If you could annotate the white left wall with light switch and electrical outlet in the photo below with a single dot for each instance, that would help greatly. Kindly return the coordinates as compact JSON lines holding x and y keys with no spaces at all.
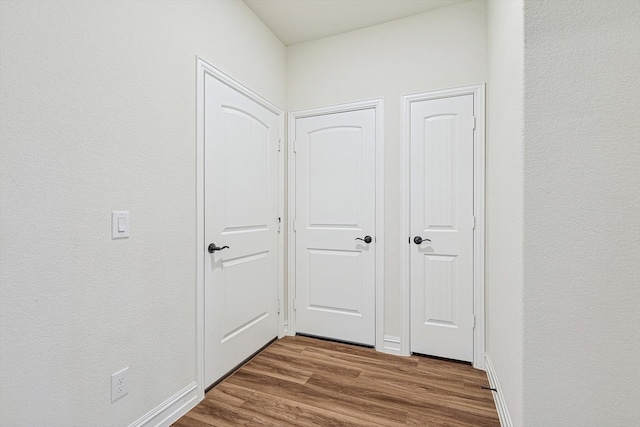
{"x":97,"y":113}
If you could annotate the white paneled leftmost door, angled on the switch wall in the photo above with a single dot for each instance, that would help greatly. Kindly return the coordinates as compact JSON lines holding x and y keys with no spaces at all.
{"x":241,"y":227}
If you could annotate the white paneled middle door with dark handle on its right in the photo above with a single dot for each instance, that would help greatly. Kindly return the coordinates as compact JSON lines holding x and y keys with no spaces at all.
{"x":335,"y":190}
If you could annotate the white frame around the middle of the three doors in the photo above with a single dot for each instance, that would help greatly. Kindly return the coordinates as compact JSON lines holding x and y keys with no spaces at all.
{"x":378,"y":105}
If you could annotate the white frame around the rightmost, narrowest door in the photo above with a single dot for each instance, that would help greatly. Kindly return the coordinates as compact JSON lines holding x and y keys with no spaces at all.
{"x":478,"y":211}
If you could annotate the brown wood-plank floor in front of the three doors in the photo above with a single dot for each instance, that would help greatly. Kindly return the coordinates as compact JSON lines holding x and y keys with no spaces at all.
{"x":299,"y":381}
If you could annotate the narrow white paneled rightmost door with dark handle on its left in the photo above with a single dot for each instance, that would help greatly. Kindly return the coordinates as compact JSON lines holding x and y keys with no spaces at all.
{"x":442,"y":222}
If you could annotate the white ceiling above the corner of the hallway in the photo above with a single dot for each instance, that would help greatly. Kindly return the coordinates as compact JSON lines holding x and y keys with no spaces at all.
{"x":297,"y":21}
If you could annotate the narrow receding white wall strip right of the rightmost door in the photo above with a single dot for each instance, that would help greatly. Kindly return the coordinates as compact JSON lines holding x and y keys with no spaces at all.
{"x":504,"y":166}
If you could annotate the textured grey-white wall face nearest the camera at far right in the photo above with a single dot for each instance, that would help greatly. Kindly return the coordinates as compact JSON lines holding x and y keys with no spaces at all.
{"x":582,"y":213}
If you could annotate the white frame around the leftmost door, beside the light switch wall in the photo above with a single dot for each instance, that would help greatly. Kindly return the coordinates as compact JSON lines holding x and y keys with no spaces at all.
{"x":203,"y":69}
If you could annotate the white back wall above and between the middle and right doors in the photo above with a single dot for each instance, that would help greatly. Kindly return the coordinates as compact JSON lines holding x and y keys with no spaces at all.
{"x":434,"y":50}
